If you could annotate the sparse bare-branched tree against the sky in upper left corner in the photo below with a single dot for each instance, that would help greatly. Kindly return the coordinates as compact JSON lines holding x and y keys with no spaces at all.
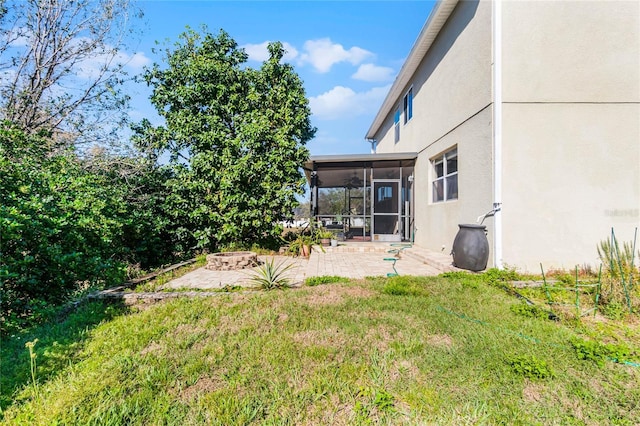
{"x":50,"y":46}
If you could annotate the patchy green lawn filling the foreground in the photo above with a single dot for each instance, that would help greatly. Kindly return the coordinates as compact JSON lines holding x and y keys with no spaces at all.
{"x":379,"y":351}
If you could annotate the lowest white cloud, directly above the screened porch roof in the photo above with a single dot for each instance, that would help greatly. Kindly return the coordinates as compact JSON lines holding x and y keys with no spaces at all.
{"x":343,"y":102}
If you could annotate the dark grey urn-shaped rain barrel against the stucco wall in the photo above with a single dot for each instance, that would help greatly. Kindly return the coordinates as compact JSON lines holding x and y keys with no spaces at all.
{"x":471,"y":248}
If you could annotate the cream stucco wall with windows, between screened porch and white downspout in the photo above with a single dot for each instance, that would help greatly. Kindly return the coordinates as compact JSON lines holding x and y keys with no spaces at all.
{"x":451,"y":107}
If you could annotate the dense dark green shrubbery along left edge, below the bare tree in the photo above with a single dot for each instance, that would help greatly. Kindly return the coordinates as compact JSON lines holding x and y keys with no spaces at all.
{"x":68,"y":226}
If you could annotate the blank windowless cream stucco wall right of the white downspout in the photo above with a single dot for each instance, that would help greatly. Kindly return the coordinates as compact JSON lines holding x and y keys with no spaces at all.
{"x":571,"y":133}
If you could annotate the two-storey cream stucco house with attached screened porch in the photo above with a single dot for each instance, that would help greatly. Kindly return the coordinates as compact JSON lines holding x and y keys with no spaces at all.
{"x":527,"y":108}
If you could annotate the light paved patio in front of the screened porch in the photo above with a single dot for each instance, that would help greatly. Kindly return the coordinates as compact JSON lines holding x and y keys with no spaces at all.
{"x":351,"y":260}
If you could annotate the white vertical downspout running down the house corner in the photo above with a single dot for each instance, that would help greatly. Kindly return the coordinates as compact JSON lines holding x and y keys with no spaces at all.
{"x":497,"y":133}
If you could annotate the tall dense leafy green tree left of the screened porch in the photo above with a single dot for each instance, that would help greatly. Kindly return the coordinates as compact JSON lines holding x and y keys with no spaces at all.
{"x":236,"y":136}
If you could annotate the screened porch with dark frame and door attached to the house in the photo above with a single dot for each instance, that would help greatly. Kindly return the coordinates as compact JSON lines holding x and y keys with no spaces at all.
{"x":363,"y":197}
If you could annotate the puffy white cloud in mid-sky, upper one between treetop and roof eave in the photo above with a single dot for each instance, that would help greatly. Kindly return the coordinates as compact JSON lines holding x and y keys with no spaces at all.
{"x":323,"y":54}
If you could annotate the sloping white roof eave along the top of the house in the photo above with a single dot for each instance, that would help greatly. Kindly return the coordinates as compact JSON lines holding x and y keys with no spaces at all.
{"x":439,"y":15}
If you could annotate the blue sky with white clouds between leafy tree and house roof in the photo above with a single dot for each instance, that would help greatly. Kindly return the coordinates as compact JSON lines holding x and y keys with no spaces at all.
{"x":347,"y":53}
